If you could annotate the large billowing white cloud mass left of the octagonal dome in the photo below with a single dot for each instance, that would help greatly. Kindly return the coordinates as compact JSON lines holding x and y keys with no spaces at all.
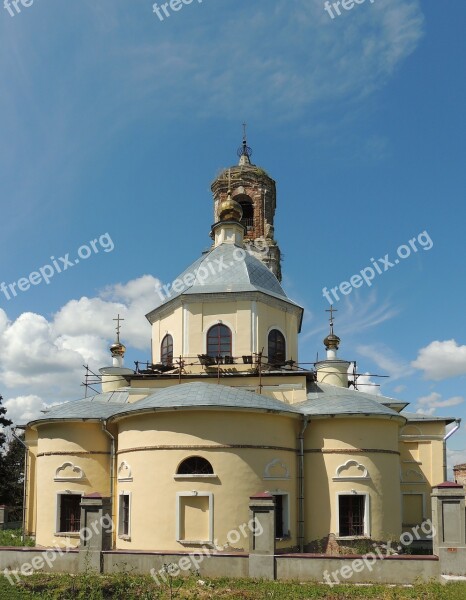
{"x":41,"y":360}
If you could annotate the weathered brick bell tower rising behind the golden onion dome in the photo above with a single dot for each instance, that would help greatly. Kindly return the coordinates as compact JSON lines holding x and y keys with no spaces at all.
{"x":255,"y":191}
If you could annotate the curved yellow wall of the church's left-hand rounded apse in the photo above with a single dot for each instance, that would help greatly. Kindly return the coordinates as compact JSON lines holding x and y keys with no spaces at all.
{"x":86,"y":448}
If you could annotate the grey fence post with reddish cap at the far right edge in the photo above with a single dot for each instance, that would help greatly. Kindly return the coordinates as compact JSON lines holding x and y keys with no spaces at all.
{"x":449,"y":527}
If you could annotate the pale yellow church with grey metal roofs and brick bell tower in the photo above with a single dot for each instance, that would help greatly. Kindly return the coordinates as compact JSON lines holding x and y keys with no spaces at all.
{"x":224,"y":410}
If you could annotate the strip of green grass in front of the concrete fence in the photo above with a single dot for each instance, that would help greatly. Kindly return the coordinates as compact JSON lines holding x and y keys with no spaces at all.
{"x":128,"y":587}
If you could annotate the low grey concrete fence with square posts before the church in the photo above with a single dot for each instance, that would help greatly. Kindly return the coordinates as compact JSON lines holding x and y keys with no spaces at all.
{"x":262,"y":561}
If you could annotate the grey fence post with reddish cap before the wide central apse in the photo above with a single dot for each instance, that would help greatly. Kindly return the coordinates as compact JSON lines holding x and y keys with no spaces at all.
{"x":262,"y":536}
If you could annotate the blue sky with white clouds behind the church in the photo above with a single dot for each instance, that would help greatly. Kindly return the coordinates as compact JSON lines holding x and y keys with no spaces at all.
{"x":113,"y":121}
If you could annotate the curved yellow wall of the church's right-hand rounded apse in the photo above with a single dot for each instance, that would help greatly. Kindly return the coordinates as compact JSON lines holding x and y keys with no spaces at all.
{"x":372,"y":471}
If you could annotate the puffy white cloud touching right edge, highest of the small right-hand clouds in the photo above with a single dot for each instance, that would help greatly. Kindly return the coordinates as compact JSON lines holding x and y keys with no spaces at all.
{"x":441,"y":360}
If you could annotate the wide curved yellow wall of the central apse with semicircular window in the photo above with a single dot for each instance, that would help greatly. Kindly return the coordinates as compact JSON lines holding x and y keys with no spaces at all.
{"x":157,"y":443}
